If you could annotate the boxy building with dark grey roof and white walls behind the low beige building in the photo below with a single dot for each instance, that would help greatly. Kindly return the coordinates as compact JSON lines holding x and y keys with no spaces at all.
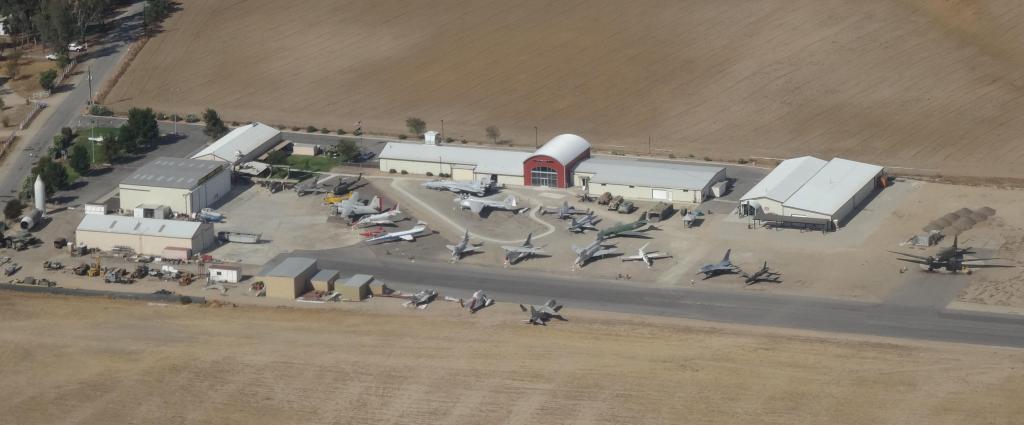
{"x":185,"y":186}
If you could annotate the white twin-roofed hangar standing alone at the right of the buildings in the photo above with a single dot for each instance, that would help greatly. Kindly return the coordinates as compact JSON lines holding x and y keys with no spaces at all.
{"x":810,"y":191}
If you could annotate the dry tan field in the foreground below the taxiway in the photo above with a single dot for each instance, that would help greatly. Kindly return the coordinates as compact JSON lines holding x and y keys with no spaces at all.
{"x":99,"y":362}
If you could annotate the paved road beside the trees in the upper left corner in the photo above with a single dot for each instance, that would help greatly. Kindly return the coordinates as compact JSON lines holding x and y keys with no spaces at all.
{"x":102,"y":60}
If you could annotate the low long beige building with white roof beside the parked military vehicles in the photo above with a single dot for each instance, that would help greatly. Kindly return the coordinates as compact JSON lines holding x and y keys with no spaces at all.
{"x":145,"y":236}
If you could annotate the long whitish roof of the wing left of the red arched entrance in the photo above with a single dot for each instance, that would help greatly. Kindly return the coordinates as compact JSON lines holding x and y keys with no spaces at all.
{"x":484,"y":160}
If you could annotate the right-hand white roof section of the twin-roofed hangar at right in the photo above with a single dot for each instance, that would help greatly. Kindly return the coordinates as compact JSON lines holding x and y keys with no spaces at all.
{"x":836,"y":184}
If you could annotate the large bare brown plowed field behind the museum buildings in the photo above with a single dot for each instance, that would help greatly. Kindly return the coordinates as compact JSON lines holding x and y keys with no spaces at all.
{"x":919,"y":83}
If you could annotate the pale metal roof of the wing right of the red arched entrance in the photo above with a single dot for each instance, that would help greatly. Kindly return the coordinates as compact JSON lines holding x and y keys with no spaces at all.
{"x":650,"y":174}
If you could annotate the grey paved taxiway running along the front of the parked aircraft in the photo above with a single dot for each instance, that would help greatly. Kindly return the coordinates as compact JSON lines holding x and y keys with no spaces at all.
{"x":706,"y":305}
